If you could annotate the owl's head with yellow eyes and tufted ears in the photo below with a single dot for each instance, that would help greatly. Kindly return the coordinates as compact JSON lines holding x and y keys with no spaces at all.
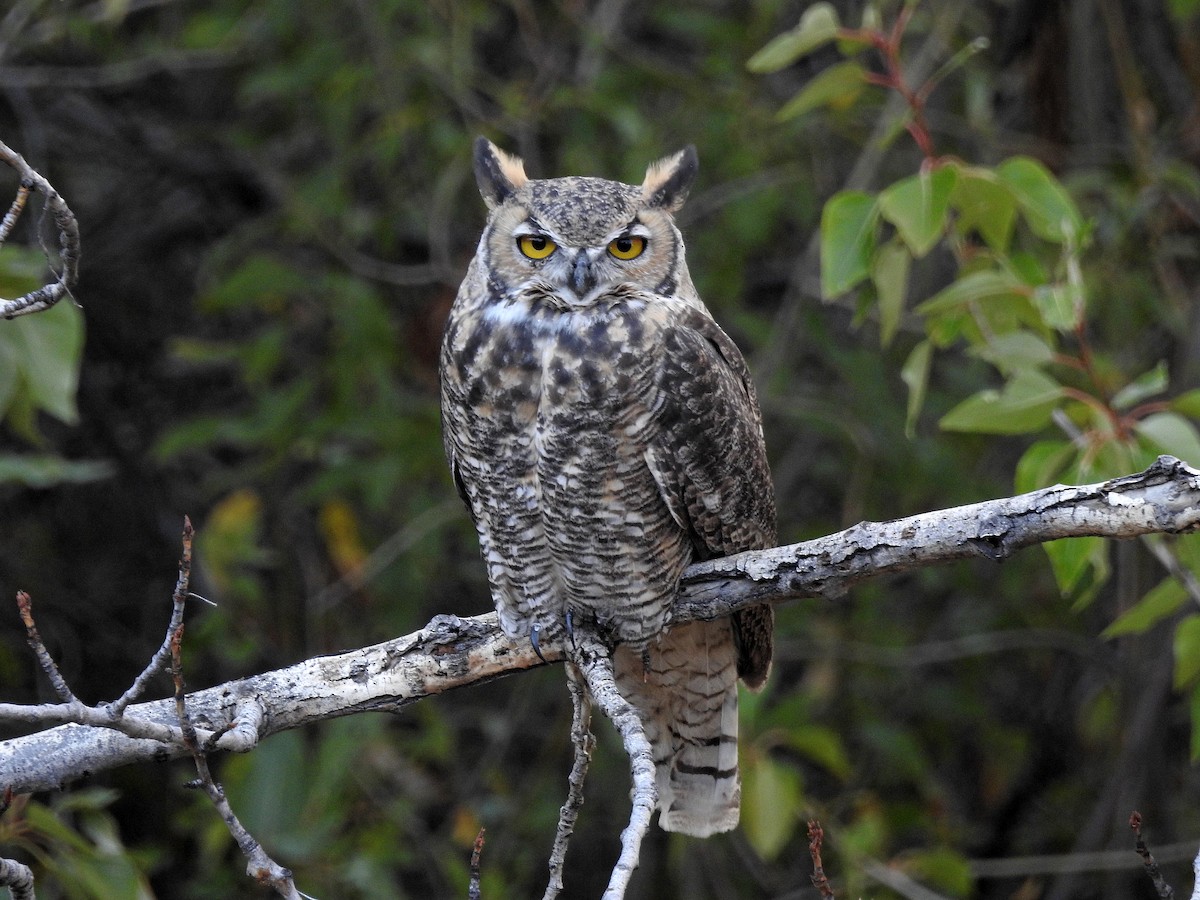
{"x":575,"y":239}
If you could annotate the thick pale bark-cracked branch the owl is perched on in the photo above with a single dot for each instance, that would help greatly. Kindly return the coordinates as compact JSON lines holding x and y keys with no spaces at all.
{"x":454,"y":652}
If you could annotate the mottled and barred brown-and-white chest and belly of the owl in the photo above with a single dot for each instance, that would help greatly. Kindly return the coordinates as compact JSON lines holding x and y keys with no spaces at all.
{"x":555,"y":409}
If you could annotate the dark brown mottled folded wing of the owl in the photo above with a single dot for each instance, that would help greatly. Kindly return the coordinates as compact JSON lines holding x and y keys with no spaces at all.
{"x":710,"y":463}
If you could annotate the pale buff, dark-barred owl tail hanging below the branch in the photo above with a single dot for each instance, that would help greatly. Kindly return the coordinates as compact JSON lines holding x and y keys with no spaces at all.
{"x":688,"y":697}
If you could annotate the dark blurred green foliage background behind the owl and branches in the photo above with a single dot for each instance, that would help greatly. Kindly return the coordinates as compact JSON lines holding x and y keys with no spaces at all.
{"x":278,"y":205}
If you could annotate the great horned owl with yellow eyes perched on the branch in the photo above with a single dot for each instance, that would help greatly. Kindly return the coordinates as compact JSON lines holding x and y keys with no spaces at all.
{"x":604,"y":433}
